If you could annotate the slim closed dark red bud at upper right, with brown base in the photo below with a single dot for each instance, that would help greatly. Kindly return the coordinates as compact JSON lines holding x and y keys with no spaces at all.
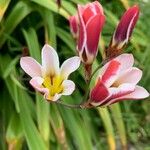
{"x":123,"y":32}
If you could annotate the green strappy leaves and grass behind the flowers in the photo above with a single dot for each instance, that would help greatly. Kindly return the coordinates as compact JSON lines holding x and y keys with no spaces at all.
{"x":27,"y":121}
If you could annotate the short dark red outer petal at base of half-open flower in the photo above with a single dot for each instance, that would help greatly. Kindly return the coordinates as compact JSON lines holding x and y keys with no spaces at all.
{"x":98,"y":93}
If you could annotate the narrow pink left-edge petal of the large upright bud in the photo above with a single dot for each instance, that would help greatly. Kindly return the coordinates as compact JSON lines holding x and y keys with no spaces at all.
{"x":82,"y":30}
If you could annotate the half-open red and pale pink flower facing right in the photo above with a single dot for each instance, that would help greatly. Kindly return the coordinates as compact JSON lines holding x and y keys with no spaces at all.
{"x":117,"y":81}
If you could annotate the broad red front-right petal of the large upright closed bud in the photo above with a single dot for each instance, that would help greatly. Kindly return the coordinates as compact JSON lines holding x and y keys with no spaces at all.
{"x":93,"y":29}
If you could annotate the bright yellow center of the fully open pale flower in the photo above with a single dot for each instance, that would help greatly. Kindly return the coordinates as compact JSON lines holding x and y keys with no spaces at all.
{"x":54,"y":84}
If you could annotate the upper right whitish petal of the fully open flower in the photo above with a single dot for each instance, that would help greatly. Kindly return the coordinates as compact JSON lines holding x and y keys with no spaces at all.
{"x":69,"y":66}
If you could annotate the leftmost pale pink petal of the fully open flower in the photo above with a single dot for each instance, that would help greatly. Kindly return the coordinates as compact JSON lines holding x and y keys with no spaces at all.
{"x":30,"y":66}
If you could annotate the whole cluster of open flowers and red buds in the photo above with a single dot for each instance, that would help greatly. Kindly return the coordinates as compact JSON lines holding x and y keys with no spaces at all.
{"x":117,"y":79}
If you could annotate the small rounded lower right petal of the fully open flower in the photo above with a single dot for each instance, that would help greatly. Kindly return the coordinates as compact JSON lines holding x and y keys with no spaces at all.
{"x":69,"y":87}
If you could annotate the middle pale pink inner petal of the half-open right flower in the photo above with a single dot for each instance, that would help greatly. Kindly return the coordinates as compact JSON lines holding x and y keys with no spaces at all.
{"x":132,"y":75}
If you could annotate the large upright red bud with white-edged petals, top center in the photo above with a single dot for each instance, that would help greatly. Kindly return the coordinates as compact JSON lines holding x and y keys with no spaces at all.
{"x":91,"y":21}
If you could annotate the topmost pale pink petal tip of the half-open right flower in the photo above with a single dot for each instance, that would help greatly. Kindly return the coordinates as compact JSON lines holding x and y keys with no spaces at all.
{"x":126,"y":61}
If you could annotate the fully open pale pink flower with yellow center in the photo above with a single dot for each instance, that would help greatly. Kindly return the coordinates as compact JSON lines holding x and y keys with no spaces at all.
{"x":48,"y":78}
